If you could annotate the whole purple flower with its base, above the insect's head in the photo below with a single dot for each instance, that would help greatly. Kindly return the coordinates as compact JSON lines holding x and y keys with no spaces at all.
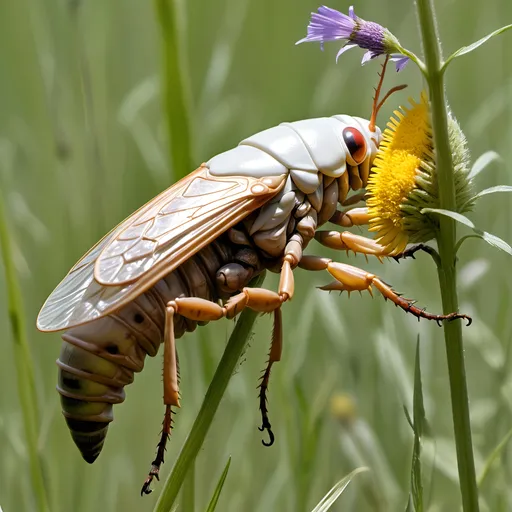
{"x":331,"y":25}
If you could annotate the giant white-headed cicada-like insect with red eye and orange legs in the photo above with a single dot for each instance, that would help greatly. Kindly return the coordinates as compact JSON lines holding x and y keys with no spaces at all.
{"x":187,"y":257}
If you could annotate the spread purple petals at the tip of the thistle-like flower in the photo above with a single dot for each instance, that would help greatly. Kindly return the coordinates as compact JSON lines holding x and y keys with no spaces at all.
{"x":328,"y":25}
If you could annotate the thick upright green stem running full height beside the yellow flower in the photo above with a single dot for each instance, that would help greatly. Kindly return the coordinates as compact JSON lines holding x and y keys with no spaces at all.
{"x":446,"y":269}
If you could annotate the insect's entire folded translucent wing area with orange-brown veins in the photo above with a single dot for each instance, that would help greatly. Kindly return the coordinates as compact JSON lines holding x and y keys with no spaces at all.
{"x":151,"y":243}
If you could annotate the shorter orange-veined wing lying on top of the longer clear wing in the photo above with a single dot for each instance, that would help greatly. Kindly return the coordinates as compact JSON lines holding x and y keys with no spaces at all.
{"x":176,"y":227}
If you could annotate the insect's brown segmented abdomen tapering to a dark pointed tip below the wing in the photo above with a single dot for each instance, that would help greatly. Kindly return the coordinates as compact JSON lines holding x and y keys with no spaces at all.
{"x":98,"y":359}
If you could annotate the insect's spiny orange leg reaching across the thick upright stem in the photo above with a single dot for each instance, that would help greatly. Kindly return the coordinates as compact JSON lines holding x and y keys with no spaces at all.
{"x":349,"y":278}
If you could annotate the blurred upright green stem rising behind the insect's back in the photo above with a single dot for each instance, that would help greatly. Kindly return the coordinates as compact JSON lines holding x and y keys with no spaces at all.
{"x":174,"y":90}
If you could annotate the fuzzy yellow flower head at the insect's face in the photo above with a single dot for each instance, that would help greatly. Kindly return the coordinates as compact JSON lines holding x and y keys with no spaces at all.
{"x":404,"y":180}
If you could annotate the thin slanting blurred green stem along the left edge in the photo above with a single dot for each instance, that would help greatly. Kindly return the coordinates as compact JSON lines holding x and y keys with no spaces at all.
{"x":24,"y":366}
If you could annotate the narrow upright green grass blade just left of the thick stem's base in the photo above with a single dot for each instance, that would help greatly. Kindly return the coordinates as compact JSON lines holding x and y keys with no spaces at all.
{"x":418,"y":425}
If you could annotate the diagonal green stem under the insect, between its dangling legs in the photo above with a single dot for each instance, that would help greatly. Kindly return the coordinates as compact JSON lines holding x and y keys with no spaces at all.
{"x":204,"y":418}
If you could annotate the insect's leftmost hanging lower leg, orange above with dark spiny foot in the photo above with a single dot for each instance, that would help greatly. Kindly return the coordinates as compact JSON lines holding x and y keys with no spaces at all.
{"x":171,"y":395}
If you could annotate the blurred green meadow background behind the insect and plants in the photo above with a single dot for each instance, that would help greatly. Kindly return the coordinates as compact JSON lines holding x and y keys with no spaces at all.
{"x":82,"y":145}
